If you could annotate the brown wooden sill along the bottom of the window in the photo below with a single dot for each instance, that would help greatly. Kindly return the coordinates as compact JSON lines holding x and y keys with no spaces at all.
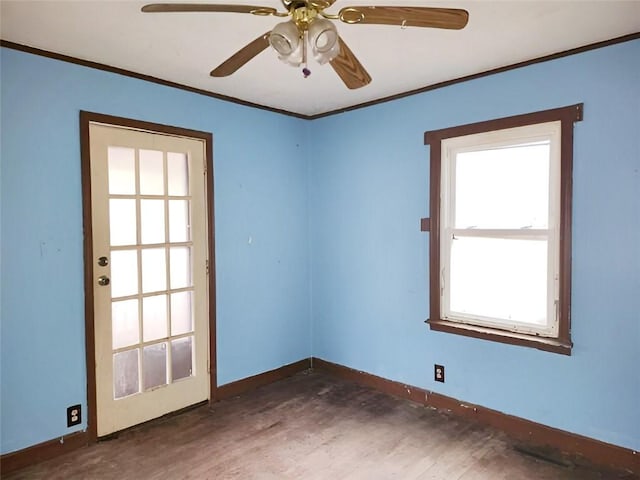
{"x":548,"y":344}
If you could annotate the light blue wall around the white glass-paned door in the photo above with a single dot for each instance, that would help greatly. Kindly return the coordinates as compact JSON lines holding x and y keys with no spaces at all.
{"x":260,"y":192}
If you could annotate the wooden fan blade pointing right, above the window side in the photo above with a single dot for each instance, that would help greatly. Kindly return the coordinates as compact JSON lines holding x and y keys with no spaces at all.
{"x":451,"y":18}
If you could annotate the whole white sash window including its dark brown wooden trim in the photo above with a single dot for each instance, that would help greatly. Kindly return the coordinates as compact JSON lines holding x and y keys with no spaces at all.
{"x":500,"y":246}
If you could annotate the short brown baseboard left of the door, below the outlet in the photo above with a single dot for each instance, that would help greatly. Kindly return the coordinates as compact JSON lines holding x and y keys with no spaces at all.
{"x":43,"y":451}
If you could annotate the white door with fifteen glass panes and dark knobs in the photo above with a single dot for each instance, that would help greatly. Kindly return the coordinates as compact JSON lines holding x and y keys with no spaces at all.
{"x":149,"y":222}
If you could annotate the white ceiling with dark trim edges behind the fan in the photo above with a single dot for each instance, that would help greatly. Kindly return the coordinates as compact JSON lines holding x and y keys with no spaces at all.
{"x":184,"y":47}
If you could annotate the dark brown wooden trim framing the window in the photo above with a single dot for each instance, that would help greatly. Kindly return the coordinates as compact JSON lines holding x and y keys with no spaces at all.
{"x":567,"y":116}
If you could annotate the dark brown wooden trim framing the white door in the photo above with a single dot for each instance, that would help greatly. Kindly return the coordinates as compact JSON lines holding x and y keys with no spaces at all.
{"x":85,"y":119}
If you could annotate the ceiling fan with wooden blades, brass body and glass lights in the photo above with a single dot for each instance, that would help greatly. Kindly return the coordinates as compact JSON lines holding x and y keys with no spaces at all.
{"x":310,"y":27}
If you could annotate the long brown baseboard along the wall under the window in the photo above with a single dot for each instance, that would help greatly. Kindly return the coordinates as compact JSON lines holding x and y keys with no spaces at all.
{"x":581,"y":449}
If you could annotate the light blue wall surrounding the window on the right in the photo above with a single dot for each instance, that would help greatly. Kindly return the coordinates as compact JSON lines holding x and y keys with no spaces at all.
{"x":369,"y":188}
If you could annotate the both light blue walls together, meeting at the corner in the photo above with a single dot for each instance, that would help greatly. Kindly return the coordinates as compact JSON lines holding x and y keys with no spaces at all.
{"x":336,"y":267}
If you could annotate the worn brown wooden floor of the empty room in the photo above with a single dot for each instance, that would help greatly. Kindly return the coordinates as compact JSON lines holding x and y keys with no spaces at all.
{"x":310,"y":426}
